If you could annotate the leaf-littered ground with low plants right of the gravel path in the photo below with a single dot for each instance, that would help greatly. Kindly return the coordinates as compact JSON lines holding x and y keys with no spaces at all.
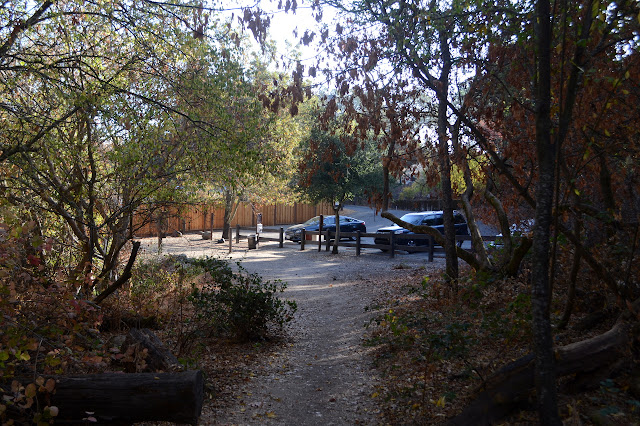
{"x":435,"y":351}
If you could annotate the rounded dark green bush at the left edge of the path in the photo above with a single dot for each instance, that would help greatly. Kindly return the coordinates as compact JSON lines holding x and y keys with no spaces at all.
{"x":239,"y":304}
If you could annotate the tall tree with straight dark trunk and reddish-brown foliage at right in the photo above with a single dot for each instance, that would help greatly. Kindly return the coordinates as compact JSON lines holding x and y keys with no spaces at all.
{"x":583,"y":56}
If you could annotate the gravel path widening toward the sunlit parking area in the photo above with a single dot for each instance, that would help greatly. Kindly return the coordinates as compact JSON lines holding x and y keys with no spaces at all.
{"x":323,"y":376}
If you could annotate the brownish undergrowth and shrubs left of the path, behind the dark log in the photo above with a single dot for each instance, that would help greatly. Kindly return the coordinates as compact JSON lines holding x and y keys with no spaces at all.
{"x":193,"y":305}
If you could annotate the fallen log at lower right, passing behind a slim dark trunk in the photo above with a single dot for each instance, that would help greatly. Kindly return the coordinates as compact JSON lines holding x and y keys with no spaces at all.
{"x":512,"y":385}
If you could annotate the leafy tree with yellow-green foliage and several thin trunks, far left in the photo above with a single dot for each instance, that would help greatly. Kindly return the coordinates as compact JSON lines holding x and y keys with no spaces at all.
{"x":141,"y":107}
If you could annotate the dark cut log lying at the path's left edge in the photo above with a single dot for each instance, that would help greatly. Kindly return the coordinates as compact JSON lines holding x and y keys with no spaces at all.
{"x":128,"y":398}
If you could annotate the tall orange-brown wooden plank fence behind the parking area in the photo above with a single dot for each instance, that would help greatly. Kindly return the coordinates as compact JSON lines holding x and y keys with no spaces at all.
{"x":204,"y":217}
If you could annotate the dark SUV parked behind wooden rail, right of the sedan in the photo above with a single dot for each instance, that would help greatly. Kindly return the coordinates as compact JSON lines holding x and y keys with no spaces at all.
{"x":430,"y":218}
